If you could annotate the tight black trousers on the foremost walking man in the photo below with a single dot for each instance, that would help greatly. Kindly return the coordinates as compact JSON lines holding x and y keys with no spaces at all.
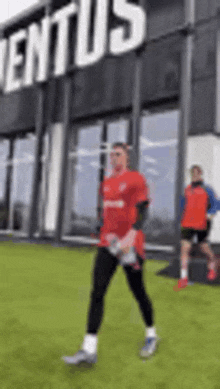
{"x":104,"y":269}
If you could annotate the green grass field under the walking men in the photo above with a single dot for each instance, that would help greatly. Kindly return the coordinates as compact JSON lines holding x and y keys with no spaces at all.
{"x":44,"y":299}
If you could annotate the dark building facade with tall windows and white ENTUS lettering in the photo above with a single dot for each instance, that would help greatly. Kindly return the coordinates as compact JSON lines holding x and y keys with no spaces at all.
{"x":56,"y":124}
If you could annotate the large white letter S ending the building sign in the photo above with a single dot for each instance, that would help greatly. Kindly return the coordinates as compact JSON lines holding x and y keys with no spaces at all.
{"x":137,"y":19}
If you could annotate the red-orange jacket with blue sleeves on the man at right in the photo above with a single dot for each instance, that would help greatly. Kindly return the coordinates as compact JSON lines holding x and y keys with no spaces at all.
{"x":198,"y":201}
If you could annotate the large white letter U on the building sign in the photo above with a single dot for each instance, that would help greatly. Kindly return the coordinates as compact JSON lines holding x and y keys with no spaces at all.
{"x":83,"y":57}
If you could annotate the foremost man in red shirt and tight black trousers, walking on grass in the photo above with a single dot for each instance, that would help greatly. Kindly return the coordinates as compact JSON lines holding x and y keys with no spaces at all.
{"x":125,"y":200}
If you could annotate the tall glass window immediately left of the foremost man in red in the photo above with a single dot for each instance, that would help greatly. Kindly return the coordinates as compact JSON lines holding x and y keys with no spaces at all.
{"x":82,"y":181}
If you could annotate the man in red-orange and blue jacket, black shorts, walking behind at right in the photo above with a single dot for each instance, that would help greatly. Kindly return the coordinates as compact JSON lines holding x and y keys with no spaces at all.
{"x":199,"y":205}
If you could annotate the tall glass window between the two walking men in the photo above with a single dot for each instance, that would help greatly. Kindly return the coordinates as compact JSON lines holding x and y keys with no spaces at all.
{"x":158,"y":162}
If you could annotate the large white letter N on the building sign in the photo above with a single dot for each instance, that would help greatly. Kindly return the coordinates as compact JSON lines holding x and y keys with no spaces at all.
{"x":37,"y":47}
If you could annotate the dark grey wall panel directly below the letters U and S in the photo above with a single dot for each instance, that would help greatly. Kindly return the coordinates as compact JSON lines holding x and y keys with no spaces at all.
{"x":104,"y":87}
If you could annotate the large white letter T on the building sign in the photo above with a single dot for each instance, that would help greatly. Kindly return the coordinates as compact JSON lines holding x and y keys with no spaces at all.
{"x":62,"y":18}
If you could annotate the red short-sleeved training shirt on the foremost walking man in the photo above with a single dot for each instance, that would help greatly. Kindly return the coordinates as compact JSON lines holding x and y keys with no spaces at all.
{"x":120,"y":195}
